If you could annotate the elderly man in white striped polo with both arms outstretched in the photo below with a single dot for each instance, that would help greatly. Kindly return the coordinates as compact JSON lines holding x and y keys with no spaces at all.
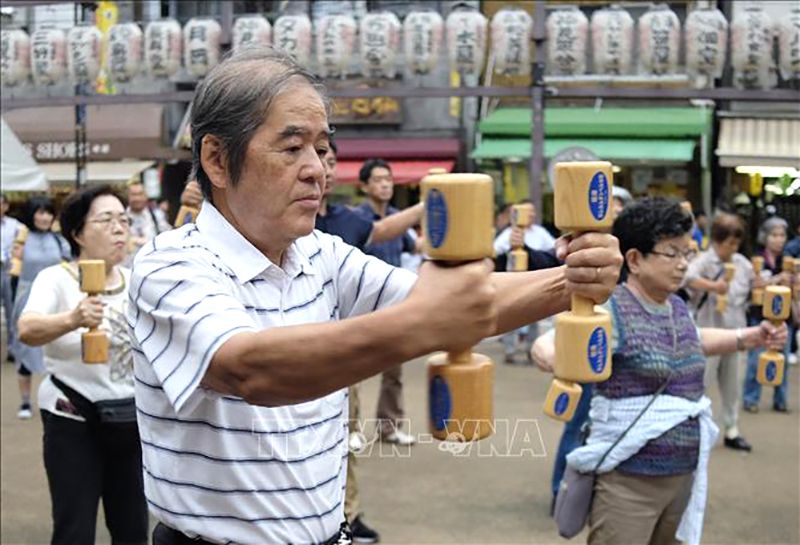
{"x":248,"y":325}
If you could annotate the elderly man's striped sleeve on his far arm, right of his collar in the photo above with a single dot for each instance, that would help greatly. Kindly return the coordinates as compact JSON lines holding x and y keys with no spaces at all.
{"x":365,"y":283}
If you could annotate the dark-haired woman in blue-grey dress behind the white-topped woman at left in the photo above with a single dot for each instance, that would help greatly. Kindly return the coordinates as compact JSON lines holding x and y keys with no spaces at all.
{"x":43,"y":248}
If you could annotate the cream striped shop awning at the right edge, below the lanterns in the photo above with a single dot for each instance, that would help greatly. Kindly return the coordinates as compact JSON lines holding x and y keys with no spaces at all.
{"x":759,"y":142}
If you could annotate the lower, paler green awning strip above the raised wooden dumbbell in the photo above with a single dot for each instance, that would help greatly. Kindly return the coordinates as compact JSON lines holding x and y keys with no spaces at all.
{"x":615,"y":150}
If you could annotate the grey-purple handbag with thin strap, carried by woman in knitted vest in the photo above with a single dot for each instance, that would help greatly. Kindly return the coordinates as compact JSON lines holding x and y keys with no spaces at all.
{"x":576,"y":490}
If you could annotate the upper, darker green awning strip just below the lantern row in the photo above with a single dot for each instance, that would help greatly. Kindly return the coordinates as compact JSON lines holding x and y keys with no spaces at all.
{"x":603,"y":122}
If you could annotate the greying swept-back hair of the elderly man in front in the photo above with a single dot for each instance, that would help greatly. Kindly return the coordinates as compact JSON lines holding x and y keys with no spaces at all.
{"x":234,"y":99}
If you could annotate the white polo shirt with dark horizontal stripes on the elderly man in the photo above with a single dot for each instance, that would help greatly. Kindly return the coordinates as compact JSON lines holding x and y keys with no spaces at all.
{"x":215,"y":466}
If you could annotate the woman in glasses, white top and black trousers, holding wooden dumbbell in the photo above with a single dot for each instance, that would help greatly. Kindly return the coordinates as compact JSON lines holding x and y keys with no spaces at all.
{"x":91,"y":441}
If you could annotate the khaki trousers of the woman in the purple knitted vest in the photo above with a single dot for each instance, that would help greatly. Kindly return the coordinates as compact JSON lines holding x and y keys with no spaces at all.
{"x":637,"y":510}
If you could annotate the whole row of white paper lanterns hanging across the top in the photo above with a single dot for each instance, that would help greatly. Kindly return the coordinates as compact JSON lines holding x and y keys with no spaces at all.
{"x":50,"y":55}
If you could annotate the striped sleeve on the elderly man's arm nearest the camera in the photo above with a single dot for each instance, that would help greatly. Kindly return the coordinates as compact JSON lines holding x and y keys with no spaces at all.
{"x":182,"y":309}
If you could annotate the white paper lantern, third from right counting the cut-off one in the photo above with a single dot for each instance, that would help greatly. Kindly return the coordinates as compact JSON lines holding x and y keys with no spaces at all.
{"x":706,"y":38}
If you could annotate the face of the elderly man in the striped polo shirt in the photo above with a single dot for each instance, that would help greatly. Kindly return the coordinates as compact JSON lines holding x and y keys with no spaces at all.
{"x":283,"y":176}
